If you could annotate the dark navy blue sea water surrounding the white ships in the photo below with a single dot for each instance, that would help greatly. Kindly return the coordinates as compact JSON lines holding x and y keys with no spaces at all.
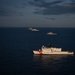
{"x":17,"y":58}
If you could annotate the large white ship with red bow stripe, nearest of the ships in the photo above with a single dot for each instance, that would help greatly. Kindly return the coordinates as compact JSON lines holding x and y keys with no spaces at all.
{"x":51,"y":50}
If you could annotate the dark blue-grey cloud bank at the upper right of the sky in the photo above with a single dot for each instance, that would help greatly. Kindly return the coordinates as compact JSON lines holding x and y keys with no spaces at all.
{"x":56,"y":7}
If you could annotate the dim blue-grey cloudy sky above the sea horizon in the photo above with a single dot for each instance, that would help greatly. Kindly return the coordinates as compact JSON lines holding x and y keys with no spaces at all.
{"x":37,"y":13}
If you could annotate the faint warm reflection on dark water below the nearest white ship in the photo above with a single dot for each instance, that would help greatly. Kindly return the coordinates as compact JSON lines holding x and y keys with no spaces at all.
{"x":51,"y":63}
